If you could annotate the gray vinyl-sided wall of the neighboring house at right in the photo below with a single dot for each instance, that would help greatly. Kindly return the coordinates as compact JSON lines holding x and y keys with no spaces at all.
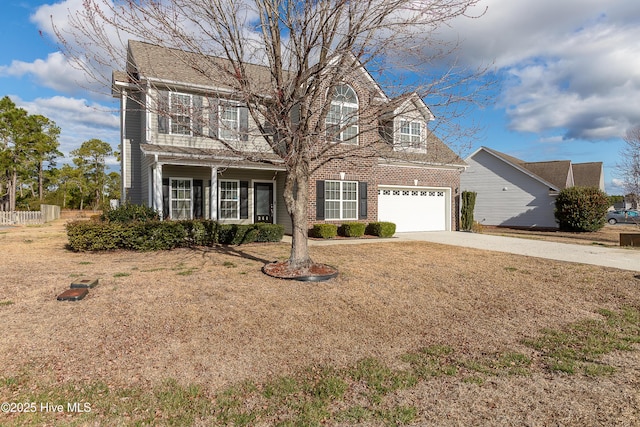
{"x":507,"y":196}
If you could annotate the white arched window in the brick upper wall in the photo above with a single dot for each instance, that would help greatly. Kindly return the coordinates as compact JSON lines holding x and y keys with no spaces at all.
{"x":342,"y":119}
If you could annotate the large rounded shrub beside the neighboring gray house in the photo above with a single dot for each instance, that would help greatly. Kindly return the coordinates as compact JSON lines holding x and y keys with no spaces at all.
{"x":581,"y":209}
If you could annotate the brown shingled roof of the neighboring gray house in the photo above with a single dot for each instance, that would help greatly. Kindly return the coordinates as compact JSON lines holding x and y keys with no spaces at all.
{"x":559,"y":174}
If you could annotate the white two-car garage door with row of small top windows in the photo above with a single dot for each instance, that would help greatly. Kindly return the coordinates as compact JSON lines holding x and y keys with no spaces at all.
{"x":414,"y":209}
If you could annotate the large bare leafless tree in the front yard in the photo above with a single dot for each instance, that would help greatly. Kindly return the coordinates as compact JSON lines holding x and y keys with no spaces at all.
{"x":309,"y":47}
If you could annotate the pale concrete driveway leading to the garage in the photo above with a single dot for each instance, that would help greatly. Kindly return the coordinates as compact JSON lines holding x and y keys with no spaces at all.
{"x":625,"y":259}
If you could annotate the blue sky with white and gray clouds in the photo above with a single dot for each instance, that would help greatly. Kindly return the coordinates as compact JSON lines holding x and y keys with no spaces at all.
{"x":568,"y":74}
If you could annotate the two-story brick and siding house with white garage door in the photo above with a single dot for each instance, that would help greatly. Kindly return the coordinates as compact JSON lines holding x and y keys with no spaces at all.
{"x":173,"y":118}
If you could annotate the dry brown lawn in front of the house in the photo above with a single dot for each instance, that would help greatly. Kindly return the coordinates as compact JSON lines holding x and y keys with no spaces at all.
{"x":210,"y":317}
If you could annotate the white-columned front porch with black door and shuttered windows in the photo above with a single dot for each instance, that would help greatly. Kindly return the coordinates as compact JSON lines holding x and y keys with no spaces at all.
{"x":228,"y":191}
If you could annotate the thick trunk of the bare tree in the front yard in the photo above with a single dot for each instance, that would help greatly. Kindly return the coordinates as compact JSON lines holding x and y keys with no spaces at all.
{"x":296,"y":197}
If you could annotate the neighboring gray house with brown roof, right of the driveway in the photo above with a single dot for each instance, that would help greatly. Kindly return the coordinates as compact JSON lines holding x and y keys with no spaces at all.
{"x":512,"y":192}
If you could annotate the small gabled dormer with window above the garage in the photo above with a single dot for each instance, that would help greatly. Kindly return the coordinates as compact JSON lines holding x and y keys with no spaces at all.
{"x":405,"y":125}
